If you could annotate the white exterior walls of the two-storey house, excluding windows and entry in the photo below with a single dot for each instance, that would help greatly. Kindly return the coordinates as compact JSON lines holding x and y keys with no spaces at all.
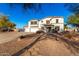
{"x":36,"y":27}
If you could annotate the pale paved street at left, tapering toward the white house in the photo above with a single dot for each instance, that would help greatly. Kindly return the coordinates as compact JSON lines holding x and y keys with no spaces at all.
{"x":8,"y":36}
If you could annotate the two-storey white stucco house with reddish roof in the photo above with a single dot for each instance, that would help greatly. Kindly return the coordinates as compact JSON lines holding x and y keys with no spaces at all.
{"x":46,"y":24}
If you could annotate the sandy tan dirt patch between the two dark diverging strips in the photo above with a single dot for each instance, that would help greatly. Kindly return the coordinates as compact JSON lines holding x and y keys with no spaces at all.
{"x":49,"y":47}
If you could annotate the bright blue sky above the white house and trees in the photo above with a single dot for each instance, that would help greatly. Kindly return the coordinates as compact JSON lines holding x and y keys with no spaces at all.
{"x":21,"y":18}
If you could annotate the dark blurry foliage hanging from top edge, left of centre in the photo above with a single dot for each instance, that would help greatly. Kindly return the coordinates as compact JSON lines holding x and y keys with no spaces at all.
{"x":25,"y":6}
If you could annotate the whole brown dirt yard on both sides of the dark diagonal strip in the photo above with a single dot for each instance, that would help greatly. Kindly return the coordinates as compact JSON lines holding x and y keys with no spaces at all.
{"x":46,"y":46}
